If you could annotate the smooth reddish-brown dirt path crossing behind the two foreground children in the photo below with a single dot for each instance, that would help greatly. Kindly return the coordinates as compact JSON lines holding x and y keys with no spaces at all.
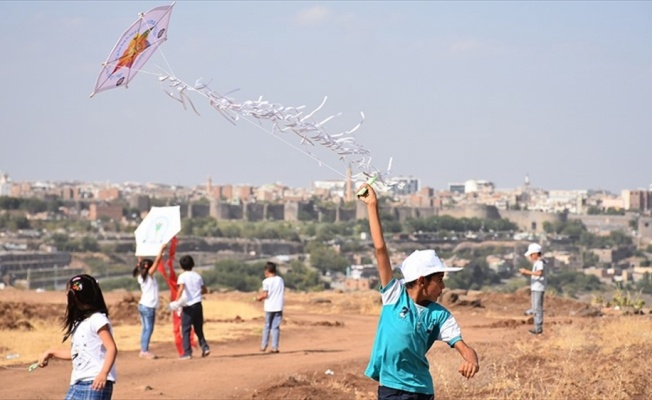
{"x":238,"y":369}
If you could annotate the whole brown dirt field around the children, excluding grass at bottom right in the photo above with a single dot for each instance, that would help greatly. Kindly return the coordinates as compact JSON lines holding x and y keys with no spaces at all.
{"x":326,"y":340}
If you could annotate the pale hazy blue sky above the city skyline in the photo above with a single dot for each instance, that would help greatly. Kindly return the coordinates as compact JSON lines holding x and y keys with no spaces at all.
{"x":452,"y":91}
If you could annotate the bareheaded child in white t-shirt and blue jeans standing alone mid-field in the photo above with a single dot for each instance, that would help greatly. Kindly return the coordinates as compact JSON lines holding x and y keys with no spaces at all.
{"x":273,"y":289}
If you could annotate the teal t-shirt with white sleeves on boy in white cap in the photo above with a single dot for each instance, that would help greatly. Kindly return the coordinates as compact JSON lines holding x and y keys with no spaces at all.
{"x":405,"y":333}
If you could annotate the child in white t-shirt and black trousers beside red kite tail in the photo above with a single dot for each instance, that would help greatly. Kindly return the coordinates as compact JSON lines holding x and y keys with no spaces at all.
{"x":191,"y":285}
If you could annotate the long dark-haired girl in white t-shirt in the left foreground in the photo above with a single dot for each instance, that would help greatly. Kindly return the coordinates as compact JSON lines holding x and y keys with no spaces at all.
{"x":93,"y":350}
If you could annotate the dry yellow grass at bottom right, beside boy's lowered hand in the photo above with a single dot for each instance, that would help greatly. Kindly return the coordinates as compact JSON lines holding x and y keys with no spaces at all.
{"x":599,"y":359}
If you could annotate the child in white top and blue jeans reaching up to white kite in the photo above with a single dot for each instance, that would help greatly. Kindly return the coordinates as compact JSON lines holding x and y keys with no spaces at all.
{"x":148,"y":300}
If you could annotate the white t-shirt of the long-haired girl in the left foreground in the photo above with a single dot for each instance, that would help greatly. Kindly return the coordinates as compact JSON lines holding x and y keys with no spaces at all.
{"x":87,"y":351}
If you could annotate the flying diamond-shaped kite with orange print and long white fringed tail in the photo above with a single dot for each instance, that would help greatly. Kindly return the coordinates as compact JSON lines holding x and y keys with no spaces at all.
{"x":139,"y":42}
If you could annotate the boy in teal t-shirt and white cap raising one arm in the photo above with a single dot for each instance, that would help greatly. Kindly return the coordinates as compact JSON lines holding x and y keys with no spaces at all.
{"x":411,"y":319}
